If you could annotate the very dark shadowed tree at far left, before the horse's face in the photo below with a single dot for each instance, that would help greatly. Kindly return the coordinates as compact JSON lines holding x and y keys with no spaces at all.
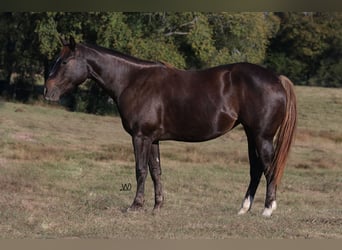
{"x":21,"y":54}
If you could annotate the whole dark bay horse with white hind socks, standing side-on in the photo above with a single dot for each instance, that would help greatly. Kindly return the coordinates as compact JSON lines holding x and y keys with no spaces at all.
{"x":158,"y":102}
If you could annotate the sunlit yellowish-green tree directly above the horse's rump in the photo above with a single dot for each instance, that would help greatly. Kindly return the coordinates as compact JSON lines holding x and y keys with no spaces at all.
{"x":242,"y":36}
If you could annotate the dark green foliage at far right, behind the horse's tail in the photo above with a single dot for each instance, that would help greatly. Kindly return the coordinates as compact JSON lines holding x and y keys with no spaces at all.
{"x":307,"y":48}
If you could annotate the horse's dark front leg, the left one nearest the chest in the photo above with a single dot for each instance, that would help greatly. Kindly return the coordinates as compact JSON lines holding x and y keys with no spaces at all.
{"x":142,"y":149}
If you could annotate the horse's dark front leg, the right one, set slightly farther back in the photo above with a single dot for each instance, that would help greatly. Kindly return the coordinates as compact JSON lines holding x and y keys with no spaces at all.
{"x":155,"y":171}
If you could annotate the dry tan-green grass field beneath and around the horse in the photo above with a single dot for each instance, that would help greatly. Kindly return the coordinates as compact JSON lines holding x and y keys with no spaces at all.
{"x":61,"y":174}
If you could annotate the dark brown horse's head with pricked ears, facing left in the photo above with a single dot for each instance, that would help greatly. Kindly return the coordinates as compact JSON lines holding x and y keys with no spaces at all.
{"x":68,"y":71}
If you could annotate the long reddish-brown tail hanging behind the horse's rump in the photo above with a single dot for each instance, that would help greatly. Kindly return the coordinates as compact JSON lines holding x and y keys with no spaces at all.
{"x":286,"y":131}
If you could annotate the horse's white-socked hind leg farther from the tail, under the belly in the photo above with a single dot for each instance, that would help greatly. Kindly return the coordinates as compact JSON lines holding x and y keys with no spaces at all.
{"x":256,"y":170}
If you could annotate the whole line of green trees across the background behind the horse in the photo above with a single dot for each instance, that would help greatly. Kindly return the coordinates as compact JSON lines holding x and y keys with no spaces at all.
{"x":305,"y":46}
